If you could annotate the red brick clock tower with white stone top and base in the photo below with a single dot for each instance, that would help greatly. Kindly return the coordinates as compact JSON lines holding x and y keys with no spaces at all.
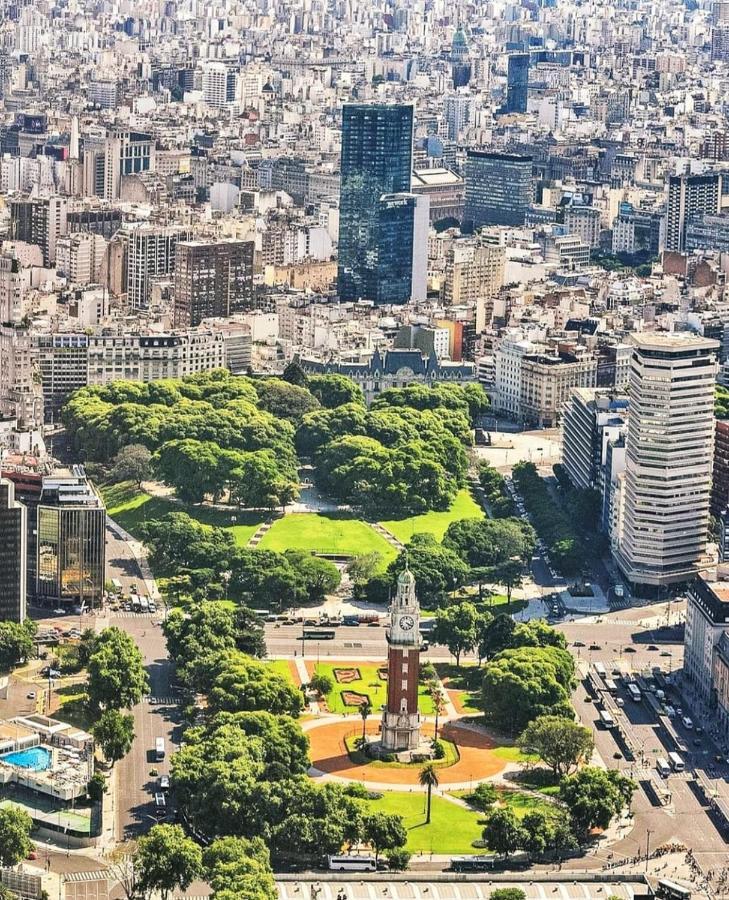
{"x":401,"y":719}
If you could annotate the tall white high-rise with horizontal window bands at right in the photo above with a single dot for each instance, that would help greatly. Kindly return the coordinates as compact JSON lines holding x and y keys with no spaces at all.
{"x":669,"y":455}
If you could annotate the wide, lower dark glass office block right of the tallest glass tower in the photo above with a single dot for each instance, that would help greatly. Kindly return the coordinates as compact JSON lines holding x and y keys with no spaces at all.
{"x":499,"y":188}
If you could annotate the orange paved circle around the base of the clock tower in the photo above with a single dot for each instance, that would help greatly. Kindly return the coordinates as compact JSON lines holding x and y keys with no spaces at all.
{"x":330,"y":757}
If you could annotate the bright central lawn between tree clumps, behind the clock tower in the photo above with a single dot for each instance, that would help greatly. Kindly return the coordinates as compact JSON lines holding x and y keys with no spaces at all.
{"x":326,"y":533}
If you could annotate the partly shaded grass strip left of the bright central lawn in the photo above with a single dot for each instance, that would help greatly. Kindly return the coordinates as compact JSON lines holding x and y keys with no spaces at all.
{"x":130,"y":507}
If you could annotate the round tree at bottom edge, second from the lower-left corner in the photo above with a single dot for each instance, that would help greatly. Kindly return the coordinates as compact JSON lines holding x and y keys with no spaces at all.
{"x":167,"y":860}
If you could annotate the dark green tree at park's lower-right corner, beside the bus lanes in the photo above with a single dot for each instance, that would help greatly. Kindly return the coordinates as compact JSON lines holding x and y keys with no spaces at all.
{"x":594,"y":796}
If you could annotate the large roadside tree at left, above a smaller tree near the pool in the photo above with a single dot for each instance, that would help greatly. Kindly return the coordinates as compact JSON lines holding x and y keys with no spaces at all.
{"x":116,"y":675}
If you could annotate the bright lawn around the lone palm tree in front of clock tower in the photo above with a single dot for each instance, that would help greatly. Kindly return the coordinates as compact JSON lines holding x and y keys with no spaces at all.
{"x":452,"y":828}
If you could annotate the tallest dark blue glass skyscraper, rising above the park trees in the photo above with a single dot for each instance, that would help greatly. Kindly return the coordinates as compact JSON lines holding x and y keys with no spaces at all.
{"x":377,"y":144}
